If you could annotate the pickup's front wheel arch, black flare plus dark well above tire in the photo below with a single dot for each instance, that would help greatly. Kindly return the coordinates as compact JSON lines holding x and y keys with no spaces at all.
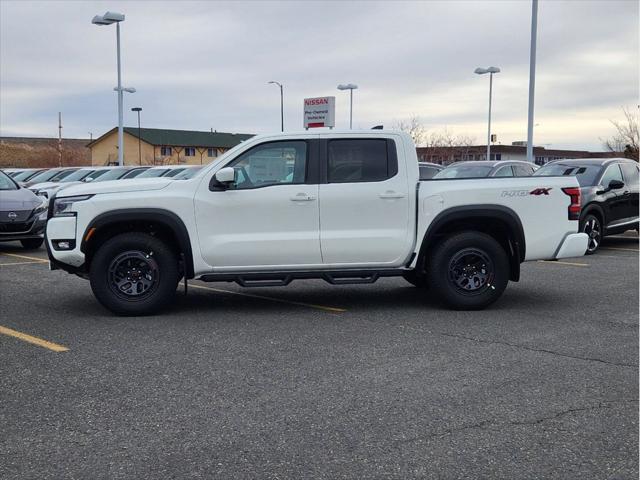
{"x":155,"y":221}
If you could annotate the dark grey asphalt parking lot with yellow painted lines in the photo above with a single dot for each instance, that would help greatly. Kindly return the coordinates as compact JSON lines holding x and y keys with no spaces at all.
{"x":319,"y":381}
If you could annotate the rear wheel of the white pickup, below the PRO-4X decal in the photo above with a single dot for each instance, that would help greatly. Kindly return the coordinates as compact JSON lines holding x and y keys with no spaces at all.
{"x":468,"y":271}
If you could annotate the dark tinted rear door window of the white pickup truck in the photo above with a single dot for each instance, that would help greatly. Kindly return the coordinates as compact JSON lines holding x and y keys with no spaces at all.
{"x":361,"y":160}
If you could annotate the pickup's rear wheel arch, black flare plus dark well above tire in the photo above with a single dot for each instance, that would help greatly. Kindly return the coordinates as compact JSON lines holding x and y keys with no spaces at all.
{"x":498,"y":221}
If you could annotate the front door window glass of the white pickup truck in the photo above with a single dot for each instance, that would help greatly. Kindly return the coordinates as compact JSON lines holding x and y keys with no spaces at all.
{"x":274,"y":163}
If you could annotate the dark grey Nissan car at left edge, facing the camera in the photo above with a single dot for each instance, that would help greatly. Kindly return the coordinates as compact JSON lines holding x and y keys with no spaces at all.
{"x":23,"y":214}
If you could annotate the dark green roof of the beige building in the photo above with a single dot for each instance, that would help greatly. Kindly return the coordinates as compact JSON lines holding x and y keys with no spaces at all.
{"x":182,"y":138}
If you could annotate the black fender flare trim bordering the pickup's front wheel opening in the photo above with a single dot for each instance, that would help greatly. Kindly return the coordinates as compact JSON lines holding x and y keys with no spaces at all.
{"x":153,"y":215}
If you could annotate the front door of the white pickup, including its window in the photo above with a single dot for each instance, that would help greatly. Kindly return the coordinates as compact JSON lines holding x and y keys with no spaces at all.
{"x":269,"y":216}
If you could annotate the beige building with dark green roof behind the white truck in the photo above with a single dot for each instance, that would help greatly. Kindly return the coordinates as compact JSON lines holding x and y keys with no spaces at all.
{"x":162,"y":147}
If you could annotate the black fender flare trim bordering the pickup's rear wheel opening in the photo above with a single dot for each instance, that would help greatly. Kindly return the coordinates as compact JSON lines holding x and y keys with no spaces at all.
{"x":498,"y":212}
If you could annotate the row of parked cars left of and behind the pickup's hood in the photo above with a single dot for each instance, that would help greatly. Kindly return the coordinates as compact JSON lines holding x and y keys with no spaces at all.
{"x":25,"y":193}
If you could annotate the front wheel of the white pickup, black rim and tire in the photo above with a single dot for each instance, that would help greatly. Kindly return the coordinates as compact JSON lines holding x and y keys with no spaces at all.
{"x":134,"y":274}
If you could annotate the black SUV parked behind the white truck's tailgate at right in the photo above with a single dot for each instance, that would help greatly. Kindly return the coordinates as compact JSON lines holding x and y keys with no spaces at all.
{"x":609,"y":189}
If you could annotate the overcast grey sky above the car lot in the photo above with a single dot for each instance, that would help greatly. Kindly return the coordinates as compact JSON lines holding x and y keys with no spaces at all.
{"x":202,"y":65}
